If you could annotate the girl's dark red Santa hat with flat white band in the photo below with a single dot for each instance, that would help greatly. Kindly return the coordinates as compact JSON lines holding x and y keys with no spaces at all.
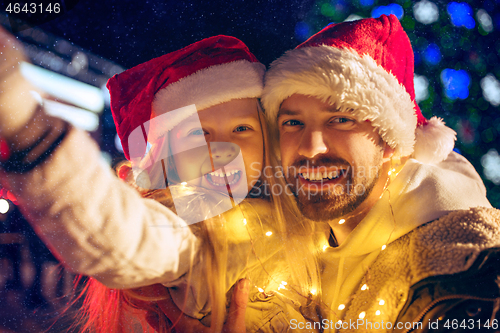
{"x":209,"y":72}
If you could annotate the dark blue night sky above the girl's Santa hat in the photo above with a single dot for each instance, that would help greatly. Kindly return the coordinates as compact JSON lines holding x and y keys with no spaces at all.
{"x":130,"y":32}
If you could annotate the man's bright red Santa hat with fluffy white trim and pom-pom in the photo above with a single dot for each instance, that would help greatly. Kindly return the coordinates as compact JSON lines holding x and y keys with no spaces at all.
{"x":364,"y":67}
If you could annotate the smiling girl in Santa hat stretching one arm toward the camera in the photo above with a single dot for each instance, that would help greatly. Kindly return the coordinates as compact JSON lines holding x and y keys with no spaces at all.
{"x":100,"y":227}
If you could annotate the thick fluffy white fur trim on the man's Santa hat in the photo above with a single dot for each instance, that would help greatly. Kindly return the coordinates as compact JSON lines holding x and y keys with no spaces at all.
{"x":349,"y":81}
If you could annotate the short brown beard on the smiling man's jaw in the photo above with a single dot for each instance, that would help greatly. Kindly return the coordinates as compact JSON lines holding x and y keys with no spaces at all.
{"x":340,"y":199}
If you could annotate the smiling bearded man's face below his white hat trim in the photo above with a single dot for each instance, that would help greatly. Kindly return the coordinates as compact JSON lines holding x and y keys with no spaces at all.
{"x":333,"y":160}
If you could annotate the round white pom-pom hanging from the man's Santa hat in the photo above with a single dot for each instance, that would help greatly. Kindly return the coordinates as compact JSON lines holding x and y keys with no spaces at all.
{"x":434,"y":141}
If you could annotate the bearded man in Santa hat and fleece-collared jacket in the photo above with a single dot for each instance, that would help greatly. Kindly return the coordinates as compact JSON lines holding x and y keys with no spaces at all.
{"x":412,"y":236}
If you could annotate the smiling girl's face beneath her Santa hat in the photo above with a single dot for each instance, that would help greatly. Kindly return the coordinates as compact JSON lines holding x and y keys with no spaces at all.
{"x":233,"y":133}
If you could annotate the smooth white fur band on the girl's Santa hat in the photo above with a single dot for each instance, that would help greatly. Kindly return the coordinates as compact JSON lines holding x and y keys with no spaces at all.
{"x":211,"y":86}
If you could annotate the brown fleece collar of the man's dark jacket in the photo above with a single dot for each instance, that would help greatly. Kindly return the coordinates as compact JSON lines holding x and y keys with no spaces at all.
{"x":446,"y":246}
